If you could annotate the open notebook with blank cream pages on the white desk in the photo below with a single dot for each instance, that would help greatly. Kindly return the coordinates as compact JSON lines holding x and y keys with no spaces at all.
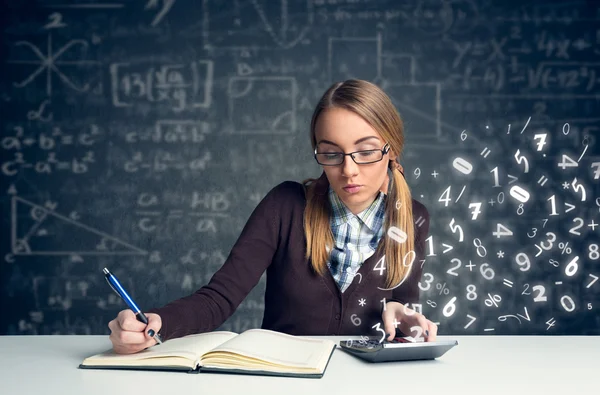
{"x":255,"y":351}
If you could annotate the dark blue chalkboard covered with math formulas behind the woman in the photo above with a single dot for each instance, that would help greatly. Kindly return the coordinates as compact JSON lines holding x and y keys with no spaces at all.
{"x":140,"y":135}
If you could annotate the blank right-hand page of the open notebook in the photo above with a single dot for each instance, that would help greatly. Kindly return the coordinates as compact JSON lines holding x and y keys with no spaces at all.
{"x":279,"y":348}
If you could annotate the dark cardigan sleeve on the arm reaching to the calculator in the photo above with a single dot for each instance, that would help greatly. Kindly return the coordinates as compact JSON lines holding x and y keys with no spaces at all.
{"x":408,"y":292}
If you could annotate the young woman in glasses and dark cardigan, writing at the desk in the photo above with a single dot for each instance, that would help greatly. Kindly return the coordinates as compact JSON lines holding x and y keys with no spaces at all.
{"x":342,"y":253}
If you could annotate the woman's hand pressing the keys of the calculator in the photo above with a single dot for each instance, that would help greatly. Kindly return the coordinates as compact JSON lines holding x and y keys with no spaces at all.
{"x":411,"y":323}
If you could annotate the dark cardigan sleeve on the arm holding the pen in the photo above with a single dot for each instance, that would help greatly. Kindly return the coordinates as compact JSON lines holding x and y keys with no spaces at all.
{"x":212,"y":304}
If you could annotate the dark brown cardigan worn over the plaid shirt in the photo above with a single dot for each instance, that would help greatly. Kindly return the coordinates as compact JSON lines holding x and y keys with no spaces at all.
{"x":297,"y":301}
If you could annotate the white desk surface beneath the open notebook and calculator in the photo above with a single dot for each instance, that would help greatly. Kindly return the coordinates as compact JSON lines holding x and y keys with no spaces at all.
{"x":482,"y":365}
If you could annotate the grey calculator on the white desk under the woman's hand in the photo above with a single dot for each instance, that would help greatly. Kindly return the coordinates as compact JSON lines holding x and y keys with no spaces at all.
{"x":372,"y":349}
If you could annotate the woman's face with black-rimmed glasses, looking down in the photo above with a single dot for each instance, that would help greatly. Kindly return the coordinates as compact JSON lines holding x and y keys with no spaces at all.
{"x":341,"y":130}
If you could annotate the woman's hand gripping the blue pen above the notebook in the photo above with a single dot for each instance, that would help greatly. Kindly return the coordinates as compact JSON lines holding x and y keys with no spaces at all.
{"x":128,"y":335}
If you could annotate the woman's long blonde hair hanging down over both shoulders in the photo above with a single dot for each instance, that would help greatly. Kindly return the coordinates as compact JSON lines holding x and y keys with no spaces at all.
{"x":372,"y":104}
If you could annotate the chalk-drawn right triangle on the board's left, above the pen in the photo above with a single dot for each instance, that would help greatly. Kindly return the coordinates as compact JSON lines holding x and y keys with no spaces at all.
{"x":37,"y":230}
